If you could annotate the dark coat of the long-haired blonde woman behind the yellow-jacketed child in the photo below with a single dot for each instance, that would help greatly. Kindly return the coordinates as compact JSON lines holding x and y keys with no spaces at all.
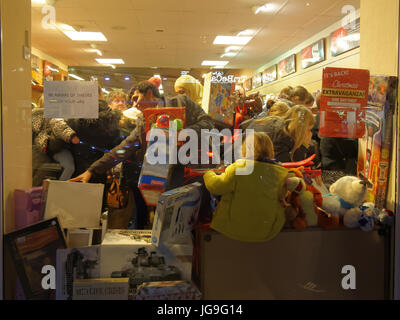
{"x":283,"y":144}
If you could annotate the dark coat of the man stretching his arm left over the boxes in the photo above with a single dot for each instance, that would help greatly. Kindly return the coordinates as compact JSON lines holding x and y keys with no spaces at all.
{"x":134,"y":146}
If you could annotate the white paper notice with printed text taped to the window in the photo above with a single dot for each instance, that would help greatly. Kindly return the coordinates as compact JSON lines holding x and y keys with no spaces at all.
{"x":71,"y":99}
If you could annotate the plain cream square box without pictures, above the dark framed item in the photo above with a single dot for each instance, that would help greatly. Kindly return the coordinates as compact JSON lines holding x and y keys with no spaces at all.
{"x":78,"y":205}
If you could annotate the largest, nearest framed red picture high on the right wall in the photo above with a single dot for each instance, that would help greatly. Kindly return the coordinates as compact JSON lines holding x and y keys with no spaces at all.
{"x":346,"y":38}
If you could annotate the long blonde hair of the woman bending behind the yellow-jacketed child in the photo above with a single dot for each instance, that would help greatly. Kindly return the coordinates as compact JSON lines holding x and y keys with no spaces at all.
{"x":298,"y":121}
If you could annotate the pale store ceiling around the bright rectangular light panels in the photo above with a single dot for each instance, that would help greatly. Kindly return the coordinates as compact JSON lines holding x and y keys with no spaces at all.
{"x":190,"y":28}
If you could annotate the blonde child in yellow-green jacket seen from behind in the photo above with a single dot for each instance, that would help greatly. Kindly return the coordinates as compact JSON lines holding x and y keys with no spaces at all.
{"x":251,"y":206}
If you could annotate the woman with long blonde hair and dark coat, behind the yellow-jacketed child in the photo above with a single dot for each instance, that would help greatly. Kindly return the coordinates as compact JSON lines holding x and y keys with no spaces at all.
{"x":291,"y":134}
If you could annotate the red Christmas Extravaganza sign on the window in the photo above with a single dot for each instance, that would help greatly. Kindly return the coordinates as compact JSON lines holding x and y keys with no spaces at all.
{"x":343,"y":102}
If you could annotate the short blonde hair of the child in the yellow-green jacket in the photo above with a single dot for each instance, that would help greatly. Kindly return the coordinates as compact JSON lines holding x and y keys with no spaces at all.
{"x":259,"y":148}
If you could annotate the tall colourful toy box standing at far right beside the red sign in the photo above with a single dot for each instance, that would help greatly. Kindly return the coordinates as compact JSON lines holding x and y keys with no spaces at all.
{"x":375,"y":146}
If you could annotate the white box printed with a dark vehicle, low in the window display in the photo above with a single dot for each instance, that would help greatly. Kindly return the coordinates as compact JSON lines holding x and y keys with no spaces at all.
{"x":129,"y":253}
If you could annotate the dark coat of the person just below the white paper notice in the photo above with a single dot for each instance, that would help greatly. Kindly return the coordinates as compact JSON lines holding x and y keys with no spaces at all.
{"x":97,"y":136}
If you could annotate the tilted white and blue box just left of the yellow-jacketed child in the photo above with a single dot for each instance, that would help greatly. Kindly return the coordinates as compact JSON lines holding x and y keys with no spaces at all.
{"x":176,"y":214}
